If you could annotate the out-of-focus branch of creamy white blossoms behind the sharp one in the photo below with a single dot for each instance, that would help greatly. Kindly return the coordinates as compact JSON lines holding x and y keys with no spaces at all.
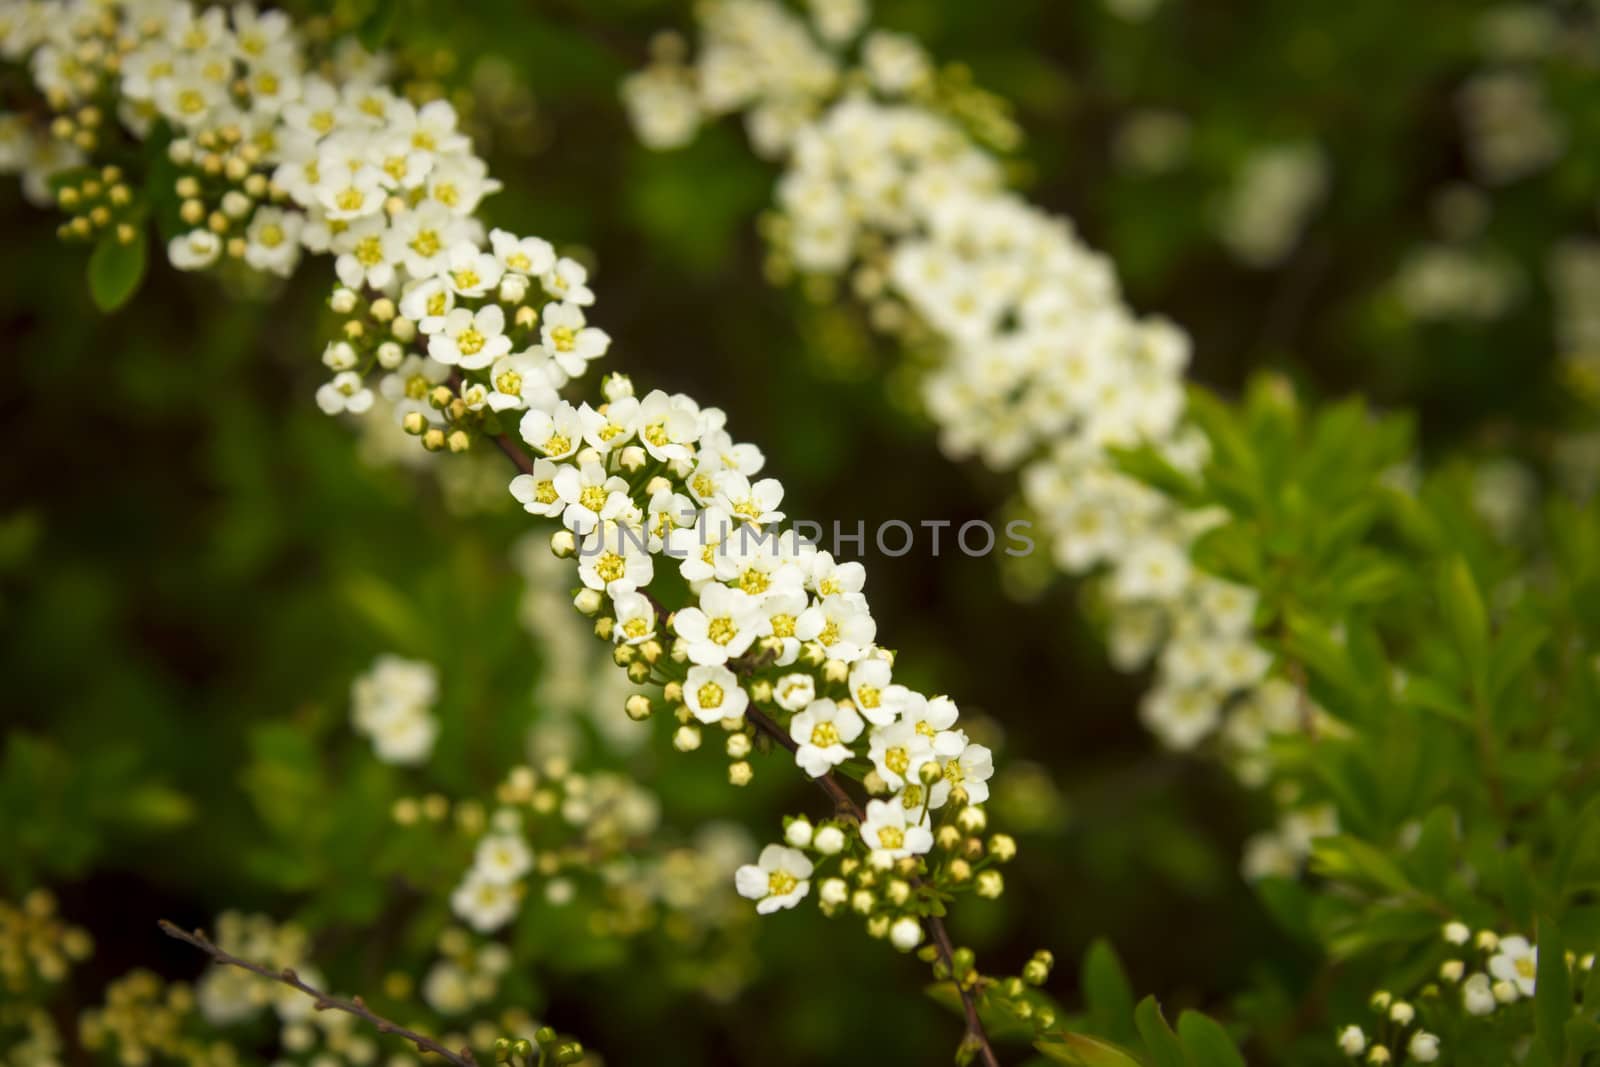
{"x":1042,"y":366}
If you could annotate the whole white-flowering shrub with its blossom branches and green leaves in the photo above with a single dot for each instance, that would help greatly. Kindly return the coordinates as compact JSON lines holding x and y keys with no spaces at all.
{"x":1401,"y":661}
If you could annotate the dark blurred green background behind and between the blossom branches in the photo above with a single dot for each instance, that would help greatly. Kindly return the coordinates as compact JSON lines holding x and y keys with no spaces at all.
{"x":194,"y":559}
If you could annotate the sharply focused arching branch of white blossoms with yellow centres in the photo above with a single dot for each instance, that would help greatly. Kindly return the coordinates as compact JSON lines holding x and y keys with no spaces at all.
{"x":266,"y":151}
